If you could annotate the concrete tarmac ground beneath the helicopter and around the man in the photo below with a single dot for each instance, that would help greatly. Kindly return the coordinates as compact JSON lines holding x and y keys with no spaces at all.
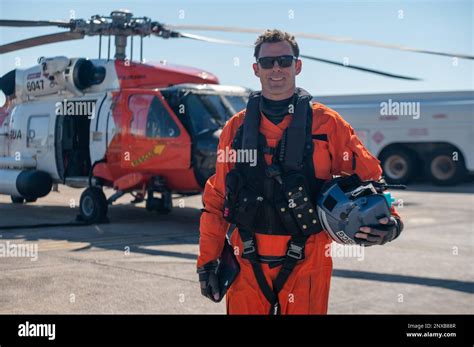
{"x":144,"y":262}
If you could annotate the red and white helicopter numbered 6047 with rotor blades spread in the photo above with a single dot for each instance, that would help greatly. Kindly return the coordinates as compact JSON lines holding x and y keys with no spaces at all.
{"x":139,"y":128}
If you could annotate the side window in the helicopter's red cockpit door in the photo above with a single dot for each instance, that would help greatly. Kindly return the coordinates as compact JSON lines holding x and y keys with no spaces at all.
{"x":150,"y":118}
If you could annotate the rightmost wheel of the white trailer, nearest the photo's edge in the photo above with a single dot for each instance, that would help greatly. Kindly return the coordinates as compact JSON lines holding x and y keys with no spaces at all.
{"x":442,"y":170}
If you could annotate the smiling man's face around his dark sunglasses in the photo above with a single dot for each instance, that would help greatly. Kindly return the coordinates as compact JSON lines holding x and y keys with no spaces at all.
{"x":277,"y":83}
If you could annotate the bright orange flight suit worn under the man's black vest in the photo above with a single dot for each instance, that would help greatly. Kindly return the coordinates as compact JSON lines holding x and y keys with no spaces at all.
{"x":307,"y":289}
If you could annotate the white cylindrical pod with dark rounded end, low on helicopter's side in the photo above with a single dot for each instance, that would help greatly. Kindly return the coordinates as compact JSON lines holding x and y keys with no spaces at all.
{"x":29,"y":184}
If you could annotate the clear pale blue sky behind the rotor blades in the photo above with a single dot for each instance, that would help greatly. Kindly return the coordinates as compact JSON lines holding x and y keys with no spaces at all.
{"x":435,"y":25}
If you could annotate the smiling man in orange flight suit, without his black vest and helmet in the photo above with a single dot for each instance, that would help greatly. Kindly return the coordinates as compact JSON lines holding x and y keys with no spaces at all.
{"x":337,"y":151}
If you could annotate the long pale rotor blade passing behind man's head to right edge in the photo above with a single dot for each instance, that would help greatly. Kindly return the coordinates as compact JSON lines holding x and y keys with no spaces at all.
{"x":323,"y":38}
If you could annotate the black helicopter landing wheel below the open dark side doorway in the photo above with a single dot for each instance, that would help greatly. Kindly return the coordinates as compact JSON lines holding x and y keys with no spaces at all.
{"x":93,"y":205}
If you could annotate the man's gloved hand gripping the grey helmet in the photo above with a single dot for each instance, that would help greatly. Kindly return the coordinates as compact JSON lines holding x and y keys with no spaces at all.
{"x":388,"y":230}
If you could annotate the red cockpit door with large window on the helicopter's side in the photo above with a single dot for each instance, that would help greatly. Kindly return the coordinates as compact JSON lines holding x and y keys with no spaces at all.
{"x":155,"y":139}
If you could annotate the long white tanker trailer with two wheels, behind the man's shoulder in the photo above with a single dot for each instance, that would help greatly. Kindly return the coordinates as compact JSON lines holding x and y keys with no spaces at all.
{"x":414,"y":134}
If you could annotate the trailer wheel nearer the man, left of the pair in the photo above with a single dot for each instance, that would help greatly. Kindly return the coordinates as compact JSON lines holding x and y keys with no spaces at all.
{"x":399,"y":166}
